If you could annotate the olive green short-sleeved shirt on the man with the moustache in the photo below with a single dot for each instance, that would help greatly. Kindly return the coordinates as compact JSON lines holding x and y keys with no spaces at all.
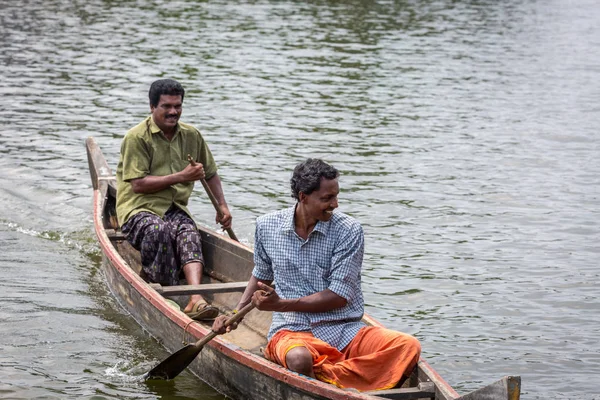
{"x":146,"y":151}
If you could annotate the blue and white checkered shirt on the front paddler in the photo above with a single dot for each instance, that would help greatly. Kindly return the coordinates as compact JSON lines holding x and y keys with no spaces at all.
{"x":331,"y":258}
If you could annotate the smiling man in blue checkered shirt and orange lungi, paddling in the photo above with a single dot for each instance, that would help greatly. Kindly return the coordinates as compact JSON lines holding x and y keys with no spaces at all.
{"x":314,"y":256}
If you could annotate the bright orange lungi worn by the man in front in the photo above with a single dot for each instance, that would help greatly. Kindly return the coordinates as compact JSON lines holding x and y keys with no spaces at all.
{"x":376,"y":359}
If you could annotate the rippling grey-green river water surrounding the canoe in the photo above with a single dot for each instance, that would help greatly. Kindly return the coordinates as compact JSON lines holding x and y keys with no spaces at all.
{"x":466,"y":133}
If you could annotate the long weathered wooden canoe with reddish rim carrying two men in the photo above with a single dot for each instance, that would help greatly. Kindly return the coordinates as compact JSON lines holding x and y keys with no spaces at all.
{"x":232,"y":363}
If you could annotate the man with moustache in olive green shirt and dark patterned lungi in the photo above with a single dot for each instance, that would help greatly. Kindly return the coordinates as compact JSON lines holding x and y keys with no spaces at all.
{"x":155,"y":181}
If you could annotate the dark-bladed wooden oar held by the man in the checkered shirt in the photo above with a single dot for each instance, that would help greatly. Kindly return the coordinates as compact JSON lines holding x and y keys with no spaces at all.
{"x":178,"y":361}
